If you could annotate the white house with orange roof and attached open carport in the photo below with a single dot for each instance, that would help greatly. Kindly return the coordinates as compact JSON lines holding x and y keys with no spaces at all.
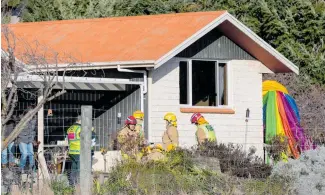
{"x":206,"y":62}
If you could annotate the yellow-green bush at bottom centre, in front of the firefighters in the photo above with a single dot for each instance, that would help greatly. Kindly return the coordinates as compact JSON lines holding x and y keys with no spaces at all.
{"x":177,"y":175}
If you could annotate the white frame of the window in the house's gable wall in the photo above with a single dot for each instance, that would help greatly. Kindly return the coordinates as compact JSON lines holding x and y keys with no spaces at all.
{"x":228,"y":80}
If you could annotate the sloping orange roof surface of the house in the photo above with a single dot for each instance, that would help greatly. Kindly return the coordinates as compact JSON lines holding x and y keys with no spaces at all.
{"x":134,"y":38}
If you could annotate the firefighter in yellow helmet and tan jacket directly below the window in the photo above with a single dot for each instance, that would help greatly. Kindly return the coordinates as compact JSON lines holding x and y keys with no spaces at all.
{"x":170,"y":136}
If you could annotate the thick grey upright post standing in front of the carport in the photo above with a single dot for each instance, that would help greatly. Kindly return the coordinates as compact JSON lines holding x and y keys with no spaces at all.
{"x":85,"y":150}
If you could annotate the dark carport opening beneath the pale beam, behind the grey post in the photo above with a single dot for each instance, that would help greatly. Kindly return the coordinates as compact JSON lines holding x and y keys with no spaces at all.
{"x":110,"y":108}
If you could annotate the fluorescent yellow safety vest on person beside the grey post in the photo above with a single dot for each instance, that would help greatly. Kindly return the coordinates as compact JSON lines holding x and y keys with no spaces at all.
{"x":74,"y":139}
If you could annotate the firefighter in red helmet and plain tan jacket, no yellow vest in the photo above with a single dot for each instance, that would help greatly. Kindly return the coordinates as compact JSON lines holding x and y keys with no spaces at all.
{"x":129,"y":140}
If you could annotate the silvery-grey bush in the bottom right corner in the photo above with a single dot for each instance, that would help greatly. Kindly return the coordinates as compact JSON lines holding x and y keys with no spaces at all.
{"x":306,"y":174}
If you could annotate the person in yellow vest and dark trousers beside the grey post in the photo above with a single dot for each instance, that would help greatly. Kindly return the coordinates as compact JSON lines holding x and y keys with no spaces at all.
{"x":73,"y":134}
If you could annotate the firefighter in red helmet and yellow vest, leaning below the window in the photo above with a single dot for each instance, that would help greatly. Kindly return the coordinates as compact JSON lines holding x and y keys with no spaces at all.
{"x":205,"y":131}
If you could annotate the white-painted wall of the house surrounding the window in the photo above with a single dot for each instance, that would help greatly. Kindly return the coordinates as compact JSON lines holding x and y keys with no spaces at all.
{"x":247,"y":93}
